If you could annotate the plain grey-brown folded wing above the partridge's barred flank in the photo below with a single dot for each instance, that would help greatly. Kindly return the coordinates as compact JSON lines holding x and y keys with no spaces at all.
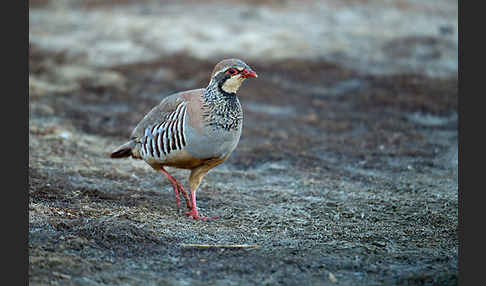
{"x":160,"y":113}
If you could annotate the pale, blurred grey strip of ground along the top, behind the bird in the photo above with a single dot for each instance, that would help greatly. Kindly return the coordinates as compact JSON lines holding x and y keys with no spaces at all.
{"x":381,"y":37}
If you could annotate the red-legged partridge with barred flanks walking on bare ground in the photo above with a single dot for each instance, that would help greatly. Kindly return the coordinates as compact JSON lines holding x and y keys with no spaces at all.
{"x":195,"y":130}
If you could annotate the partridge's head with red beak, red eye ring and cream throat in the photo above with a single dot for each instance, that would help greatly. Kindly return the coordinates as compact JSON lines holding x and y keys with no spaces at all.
{"x":229,"y":74}
